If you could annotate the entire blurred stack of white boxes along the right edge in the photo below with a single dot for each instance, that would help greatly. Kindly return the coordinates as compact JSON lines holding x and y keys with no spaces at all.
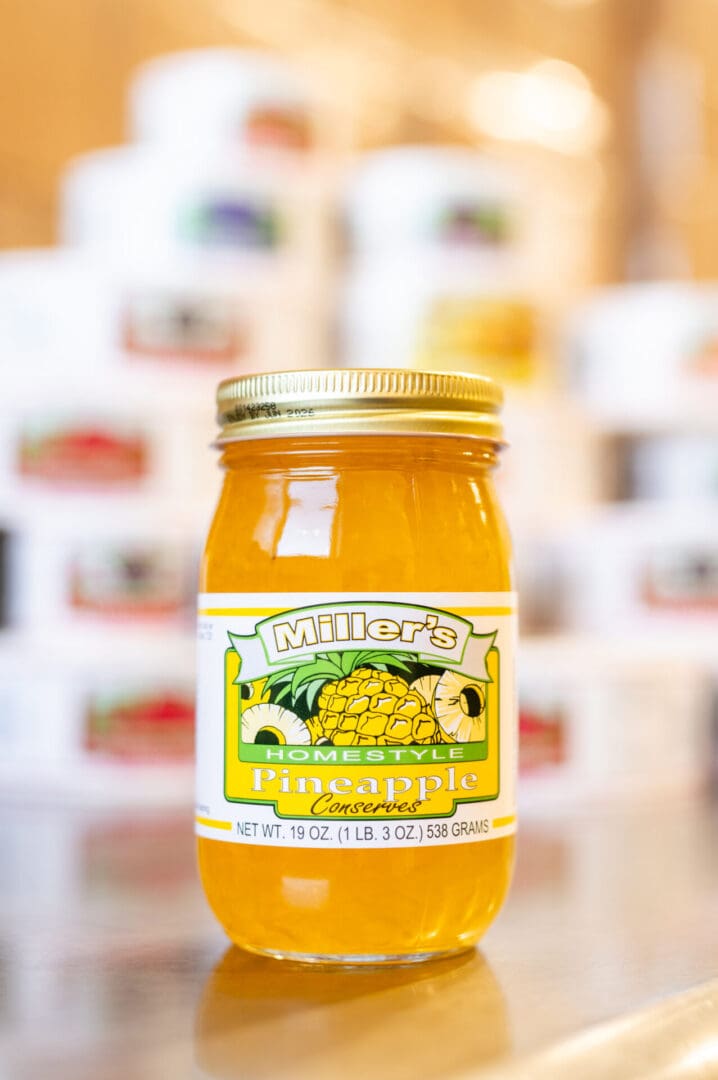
{"x":639,"y":595}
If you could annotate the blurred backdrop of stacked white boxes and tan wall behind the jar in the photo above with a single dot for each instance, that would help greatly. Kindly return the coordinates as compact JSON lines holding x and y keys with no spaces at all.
{"x":525,"y":188}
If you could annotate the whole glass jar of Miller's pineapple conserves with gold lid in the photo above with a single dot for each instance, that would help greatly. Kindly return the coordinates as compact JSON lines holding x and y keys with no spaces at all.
{"x":357,"y":723}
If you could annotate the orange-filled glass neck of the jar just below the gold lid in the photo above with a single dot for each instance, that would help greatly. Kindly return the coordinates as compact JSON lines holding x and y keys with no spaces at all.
{"x":358,"y":452}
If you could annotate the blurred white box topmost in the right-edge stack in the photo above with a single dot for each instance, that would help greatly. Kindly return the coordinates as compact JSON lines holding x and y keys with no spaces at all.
{"x":648,"y":354}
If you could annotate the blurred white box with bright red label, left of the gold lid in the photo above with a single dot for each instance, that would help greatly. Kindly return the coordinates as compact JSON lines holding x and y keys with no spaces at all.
{"x":130,"y":443}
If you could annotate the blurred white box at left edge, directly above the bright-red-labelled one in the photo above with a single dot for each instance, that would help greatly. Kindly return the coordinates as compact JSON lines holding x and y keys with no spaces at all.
{"x":64,"y":314}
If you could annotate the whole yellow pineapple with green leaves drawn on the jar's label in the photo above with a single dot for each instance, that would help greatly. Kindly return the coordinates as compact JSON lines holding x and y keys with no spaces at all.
{"x":355,"y":701}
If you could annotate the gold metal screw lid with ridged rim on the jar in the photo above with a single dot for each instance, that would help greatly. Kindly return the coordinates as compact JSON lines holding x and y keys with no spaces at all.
{"x":359,"y":402}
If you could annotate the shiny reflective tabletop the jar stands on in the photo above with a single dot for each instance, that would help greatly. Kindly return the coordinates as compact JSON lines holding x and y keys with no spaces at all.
{"x":112,"y":966}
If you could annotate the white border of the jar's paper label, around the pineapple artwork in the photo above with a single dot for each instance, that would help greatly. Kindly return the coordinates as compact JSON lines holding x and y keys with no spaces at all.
{"x":220,"y":819}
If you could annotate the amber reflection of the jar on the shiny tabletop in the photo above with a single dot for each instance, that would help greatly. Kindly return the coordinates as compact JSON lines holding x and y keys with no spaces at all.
{"x":261,"y":1020}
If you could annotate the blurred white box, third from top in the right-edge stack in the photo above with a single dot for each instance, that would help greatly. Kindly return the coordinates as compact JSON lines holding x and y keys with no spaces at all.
{"x":645,"y":569}
